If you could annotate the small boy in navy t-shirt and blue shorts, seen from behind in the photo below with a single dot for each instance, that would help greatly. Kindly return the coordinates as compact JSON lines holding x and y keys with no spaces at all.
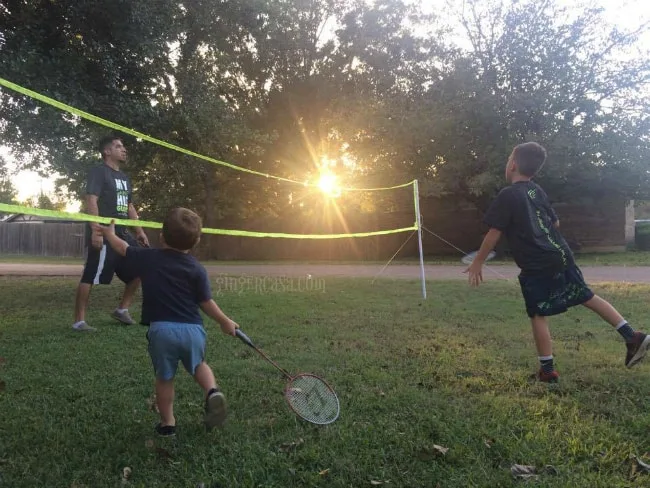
{"x":175,"y":287}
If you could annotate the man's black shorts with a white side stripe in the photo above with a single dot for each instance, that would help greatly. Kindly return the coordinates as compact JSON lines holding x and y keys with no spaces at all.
{"x":102,"y":264}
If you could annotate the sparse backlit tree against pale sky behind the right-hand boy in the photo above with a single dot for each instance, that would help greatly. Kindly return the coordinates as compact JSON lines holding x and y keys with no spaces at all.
{"x":533,"y":71}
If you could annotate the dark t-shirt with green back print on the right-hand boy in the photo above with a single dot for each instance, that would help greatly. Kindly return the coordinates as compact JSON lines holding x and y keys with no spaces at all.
{"x":523,"y":213}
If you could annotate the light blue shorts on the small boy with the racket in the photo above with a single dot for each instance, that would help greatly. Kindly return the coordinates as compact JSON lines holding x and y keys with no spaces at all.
{"x":170,"y":342}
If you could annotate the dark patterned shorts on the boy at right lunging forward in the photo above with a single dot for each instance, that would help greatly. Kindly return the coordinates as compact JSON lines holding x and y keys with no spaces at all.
{"x":552,"y":294}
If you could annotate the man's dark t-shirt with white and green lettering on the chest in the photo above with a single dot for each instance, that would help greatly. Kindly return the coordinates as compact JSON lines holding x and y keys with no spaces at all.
{"x":113,"y":191}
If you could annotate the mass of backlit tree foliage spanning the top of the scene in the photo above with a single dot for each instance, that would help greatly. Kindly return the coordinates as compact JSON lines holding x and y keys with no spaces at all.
{"x":278,"y":86}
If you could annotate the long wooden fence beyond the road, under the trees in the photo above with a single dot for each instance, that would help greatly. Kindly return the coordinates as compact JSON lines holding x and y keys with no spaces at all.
{"x":596,"y":227}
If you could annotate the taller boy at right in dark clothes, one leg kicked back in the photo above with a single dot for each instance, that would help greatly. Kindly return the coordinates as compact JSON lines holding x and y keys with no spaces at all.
{"x":550,"y":280}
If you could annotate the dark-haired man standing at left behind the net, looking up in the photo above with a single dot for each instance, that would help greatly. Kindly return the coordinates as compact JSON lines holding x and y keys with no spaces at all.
{"x":108,"y":194}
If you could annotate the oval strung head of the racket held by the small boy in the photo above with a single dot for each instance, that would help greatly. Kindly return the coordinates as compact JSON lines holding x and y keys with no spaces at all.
{"x":312,"y":399}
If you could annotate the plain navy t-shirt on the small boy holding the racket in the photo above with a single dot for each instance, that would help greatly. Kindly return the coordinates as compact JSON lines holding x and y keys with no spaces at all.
{"x":173,"y":285}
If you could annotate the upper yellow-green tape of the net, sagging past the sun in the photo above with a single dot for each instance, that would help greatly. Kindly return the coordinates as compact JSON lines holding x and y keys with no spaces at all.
{"x":126,"y":130}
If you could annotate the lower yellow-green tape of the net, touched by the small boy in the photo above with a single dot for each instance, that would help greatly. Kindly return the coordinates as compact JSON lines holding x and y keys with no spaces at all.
{"x":19,"y":209}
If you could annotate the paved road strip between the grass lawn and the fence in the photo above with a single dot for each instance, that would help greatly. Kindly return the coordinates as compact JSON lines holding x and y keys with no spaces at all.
{"x":406,"y":271}
